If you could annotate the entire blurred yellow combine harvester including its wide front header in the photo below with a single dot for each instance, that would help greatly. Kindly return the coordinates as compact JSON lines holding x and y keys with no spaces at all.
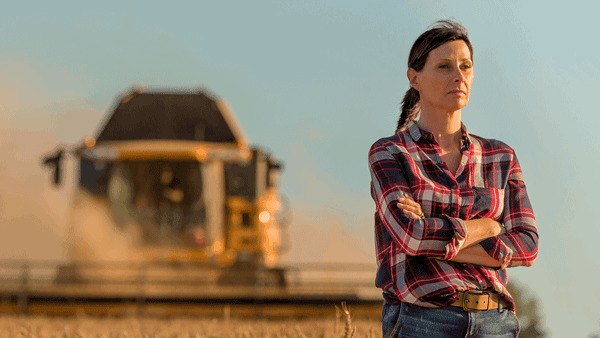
{"x":175,"y":213}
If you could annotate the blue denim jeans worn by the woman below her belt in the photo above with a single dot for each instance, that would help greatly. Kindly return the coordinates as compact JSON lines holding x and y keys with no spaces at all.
{"x":405,"y":320}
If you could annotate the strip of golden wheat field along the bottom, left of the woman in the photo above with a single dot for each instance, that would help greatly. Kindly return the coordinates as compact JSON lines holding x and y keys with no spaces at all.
{"x":341,"y":326}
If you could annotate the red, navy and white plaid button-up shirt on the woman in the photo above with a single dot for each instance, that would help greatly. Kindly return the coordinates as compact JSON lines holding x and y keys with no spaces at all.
{"x":413,"y":254}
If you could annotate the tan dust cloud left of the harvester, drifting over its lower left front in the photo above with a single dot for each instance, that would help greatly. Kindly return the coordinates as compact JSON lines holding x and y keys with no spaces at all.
{"x":37,"y":218}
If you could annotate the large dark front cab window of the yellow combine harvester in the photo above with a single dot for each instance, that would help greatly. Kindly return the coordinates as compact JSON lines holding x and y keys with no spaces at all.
{"x":164,"y":198}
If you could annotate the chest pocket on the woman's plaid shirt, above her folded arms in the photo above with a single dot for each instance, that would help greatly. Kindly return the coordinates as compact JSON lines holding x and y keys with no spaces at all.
{"x":486,"y":202}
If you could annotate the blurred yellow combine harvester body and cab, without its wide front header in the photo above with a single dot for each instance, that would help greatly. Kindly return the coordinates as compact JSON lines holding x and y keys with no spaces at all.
{"x":170,"y":179}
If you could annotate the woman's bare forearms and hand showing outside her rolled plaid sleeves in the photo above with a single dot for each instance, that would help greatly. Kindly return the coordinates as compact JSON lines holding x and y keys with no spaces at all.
{"x":477,"y":231}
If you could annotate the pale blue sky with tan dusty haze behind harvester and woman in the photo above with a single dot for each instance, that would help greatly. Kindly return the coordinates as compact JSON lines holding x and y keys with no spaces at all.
{"x":316,"y":83}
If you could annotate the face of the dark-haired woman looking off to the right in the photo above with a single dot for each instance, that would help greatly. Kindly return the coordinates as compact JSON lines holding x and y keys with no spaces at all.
{"x":445,"y":81}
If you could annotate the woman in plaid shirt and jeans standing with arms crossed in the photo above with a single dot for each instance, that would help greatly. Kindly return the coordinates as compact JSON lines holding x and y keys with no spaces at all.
{"x":452,"y":212}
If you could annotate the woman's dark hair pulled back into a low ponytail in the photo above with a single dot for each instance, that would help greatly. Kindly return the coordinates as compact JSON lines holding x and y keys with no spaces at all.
{"x":441,"y":32}
